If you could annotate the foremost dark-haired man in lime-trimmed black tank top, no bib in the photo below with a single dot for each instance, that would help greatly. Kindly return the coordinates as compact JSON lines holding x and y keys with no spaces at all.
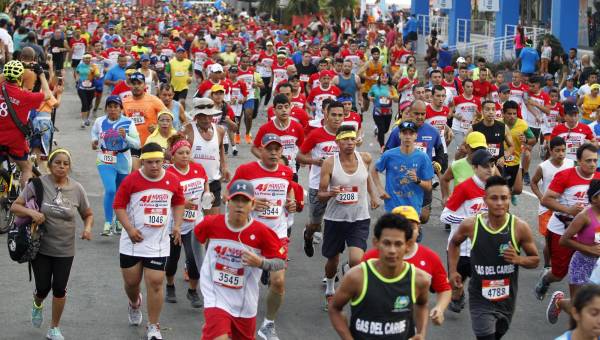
{"x":388,"y":295}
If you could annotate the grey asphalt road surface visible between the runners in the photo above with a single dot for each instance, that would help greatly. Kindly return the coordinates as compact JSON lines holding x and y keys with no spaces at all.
{"x":97,"y":305}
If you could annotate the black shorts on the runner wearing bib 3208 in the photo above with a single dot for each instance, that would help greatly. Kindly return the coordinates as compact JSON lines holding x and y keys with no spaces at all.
{"x":338,"y":235}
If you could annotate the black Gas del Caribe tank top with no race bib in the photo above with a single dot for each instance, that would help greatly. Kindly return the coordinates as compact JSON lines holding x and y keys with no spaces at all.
{"x":384,"y":310}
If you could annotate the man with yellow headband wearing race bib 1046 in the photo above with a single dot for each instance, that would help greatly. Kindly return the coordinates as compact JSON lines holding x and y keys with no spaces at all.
{"x":145,"y":202}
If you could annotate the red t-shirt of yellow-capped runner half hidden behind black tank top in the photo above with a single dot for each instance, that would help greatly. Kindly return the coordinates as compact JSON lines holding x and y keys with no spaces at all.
{"x":427,"y":260}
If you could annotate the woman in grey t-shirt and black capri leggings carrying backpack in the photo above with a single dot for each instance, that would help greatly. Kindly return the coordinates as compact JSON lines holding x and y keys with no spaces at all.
{"x":63,"y":199}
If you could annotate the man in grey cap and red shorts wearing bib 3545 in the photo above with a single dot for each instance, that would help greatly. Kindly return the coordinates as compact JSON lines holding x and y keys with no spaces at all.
{"x":239,"y":248}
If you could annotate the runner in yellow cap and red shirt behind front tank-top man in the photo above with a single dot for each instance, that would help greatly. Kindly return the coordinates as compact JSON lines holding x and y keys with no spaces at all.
{"x":426,"y":259}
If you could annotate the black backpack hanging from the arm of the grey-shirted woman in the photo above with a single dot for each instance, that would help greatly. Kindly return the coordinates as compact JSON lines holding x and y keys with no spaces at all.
{"x":24,"y":237}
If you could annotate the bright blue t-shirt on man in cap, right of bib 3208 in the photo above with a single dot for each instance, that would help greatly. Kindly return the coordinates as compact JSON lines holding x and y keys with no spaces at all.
{"x":402,"y":190}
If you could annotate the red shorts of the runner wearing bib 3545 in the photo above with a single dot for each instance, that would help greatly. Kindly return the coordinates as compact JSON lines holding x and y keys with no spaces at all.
{"x":218,"y":322}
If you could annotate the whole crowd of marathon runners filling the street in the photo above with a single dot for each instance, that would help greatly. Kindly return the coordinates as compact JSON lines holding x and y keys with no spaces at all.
{"x":168,"y":184}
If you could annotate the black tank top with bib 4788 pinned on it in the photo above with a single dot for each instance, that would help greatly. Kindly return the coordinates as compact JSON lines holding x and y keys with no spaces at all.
{"x":493,"y":280}
